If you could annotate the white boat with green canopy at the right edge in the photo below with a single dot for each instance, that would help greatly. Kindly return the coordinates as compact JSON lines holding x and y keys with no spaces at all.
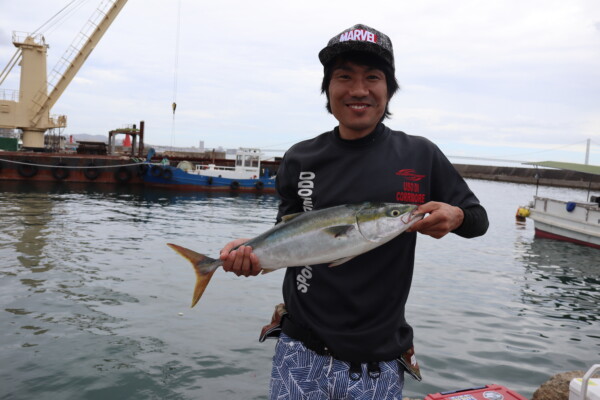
{"x":572,"y":221}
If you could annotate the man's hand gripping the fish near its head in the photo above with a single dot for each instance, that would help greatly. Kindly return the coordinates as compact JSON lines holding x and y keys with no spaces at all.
{"x":442,"y":218}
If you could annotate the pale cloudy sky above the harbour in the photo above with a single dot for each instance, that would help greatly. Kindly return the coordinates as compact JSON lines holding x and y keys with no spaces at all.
{"x":499,"y":79}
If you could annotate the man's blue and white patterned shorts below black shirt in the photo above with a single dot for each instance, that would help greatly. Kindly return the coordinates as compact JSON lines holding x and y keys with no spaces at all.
{"x":301,"y":374}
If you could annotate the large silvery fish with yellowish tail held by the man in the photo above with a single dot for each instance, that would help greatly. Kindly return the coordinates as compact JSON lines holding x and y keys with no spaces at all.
{"x":332,"y":235}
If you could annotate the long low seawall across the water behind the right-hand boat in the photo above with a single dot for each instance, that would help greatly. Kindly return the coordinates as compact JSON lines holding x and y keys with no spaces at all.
{"x":543,"y":176}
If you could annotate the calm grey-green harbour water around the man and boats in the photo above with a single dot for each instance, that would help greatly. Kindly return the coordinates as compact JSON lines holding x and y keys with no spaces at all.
{"x":94,"y":305}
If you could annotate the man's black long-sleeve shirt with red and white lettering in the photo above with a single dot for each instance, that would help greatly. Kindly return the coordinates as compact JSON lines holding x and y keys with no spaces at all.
{"x":357,"y":308}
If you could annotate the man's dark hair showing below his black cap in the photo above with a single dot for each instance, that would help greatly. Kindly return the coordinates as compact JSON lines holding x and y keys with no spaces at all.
{"x":364,"y":59}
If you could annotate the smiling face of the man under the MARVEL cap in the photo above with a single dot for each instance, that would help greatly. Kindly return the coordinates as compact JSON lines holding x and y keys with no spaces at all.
{"x":358,"y":97}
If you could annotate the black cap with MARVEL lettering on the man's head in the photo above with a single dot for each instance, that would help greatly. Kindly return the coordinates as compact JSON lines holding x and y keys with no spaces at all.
{"x":359,"y":38}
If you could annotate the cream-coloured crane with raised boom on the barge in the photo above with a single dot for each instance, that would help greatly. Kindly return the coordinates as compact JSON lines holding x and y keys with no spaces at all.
{"x":29,"y":108}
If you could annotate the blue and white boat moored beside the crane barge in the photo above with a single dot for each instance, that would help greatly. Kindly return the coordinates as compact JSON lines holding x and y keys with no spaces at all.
{"x":244,"y":176}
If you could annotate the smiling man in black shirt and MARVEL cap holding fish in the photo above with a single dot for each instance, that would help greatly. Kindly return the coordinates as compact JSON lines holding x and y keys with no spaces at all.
{"x":345,"y":329}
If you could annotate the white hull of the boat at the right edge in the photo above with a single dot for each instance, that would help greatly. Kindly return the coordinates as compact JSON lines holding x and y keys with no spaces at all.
{"x":553,"y":220}
